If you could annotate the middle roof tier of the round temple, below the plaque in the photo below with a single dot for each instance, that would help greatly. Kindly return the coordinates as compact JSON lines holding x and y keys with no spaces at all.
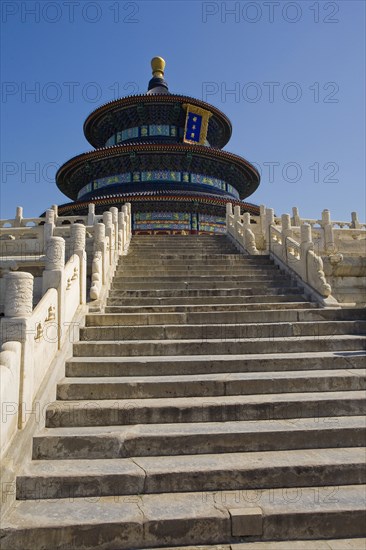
{"x":237,"y":173}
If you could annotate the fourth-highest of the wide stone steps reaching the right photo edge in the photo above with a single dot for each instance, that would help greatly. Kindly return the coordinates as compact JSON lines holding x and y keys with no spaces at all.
{"x":202,"y":364}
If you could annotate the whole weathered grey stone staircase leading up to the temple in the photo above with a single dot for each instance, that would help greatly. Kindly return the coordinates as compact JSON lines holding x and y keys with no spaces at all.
{"x":209,"y":404}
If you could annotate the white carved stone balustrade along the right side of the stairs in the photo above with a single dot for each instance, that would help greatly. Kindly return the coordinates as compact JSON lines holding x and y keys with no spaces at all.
{"x":303,"y":245}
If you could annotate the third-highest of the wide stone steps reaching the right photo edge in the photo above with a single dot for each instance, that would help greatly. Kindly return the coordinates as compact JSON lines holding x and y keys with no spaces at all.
{"x":131,"y":348}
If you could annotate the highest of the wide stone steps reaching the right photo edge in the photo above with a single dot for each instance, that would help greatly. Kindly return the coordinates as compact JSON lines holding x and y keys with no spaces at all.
{"x":222,"y":317}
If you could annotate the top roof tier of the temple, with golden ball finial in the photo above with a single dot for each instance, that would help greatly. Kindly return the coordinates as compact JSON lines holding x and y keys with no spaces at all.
{"x":157,"y":107}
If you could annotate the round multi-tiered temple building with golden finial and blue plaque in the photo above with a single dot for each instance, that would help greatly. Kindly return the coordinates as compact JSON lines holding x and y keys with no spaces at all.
{"x":162,"y":153}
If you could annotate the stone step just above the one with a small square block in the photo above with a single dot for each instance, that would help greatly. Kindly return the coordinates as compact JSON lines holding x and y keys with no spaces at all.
{"x":163,"y":474}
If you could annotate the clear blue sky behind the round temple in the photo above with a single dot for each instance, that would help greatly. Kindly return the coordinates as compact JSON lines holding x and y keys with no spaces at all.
{"x":295,"y":70}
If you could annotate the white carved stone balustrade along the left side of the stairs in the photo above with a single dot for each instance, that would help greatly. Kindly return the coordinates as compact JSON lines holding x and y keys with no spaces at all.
{"x":31,"y":337}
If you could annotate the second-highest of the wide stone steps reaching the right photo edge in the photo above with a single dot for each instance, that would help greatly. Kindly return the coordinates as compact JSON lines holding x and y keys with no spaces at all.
{"x":224,"y":331}
